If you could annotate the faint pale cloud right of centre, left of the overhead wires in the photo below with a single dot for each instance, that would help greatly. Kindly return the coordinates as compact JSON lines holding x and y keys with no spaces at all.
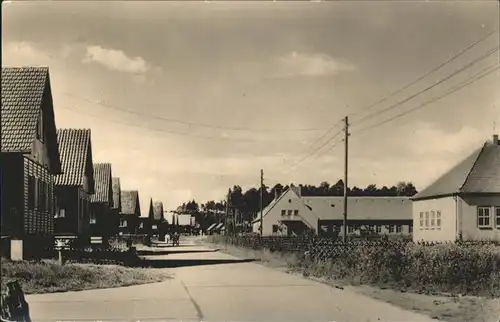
{"x":301,"y":64}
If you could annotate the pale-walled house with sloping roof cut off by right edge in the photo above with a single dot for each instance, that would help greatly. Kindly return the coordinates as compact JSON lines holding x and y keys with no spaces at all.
{"x":464,"y":203}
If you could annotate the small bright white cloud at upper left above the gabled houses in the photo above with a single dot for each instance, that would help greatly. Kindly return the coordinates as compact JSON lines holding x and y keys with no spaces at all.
{"x":116,"y":60}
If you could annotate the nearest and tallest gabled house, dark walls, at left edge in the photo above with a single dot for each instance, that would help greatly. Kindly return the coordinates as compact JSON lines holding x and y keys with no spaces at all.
{"x":29,"y":160}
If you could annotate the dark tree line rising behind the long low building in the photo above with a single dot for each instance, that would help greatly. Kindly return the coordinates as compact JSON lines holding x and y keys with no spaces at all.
{"x":248,"y":202}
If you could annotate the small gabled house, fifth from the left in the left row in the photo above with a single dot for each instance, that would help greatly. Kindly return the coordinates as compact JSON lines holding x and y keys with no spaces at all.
{"x":130,"y":212}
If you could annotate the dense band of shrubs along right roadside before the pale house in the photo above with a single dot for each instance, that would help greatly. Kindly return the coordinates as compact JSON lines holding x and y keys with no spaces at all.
{"x":467,"y":267}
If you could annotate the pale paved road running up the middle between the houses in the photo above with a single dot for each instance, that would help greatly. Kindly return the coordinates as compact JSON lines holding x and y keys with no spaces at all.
{"x":215,"y":288}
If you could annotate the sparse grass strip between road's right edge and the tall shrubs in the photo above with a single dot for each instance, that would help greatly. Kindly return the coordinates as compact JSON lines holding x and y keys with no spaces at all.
{"x":440,"y":306}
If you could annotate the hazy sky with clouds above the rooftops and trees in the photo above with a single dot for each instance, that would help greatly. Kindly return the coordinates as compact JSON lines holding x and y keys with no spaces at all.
{"x":187,"y":99}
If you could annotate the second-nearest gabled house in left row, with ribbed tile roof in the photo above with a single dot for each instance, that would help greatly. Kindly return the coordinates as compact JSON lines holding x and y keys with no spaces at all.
{"x":75,"y":186}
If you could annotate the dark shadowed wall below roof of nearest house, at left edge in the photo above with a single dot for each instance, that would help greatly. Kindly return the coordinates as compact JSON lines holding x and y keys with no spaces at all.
{"x":12,"y":198}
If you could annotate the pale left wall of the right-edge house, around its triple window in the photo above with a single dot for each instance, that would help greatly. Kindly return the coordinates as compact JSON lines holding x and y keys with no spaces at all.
{"x":448,"y":228}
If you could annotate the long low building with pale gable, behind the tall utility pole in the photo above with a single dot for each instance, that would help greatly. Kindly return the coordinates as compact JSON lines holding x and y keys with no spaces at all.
{"x":293,"y":214}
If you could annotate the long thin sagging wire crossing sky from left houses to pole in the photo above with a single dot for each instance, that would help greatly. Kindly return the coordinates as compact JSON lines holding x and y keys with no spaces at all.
{"x":102,"y":104}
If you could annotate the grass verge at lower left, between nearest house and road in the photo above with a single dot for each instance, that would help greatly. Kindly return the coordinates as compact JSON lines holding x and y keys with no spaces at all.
{"x":49,"y":276}
